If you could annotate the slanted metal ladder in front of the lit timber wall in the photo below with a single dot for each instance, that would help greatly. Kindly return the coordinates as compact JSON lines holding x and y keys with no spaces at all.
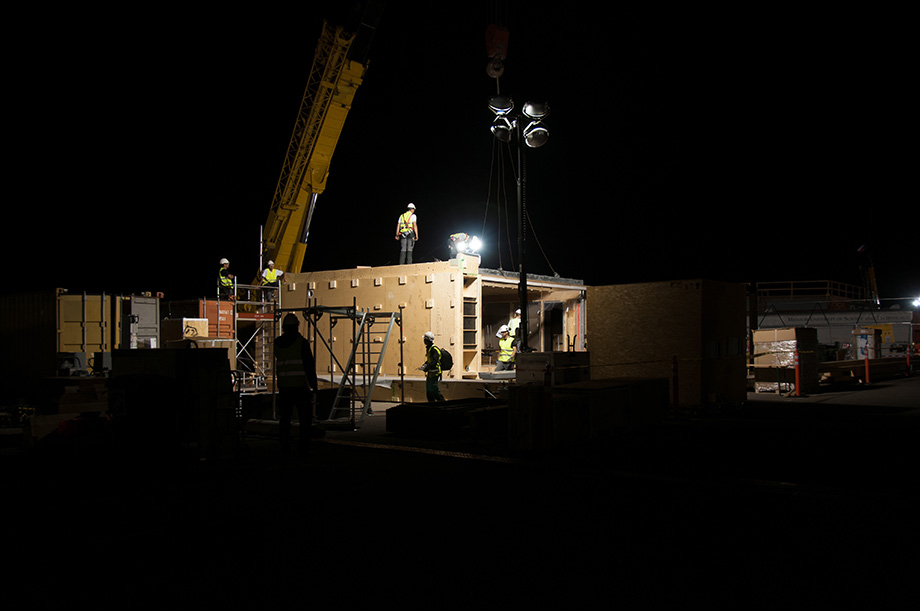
{"x":368,"y":348}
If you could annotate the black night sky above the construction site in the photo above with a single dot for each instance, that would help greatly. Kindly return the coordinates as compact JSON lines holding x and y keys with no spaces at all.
{"x":733,"y":146}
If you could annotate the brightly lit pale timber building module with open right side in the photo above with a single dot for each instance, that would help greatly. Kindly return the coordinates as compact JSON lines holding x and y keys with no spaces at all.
{"x":461,"y":303}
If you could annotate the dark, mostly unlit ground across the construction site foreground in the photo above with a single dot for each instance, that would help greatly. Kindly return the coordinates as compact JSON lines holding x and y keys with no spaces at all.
{"x":780,"y":503}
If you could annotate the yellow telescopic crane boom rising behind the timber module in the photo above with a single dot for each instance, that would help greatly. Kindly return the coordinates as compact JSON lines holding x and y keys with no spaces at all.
{"x":330,"y":90}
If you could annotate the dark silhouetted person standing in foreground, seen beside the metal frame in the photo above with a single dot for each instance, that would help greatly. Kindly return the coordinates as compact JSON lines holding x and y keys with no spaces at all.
{"x":295,"y":372}
